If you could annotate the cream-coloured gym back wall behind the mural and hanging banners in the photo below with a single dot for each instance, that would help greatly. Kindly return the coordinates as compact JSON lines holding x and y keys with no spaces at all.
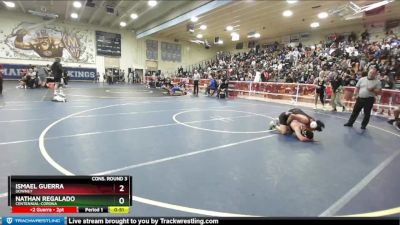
{"x":133,"y":53}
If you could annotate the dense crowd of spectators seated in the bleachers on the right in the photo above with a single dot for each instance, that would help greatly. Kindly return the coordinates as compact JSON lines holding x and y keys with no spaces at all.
{"x":346,"y":57}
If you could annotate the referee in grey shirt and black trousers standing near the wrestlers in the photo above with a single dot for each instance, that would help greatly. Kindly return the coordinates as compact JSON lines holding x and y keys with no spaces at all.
{"x":366,"y":90}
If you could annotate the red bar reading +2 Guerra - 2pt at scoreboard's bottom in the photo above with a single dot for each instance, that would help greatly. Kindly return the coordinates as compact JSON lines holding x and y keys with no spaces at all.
{"x":44,"y":209}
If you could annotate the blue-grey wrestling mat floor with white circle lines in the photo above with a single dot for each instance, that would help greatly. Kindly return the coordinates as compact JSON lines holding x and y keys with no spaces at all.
{"x":199,"y":156}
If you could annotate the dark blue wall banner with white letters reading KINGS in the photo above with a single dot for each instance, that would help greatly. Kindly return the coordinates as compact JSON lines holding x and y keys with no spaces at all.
{"x":13,"y":72}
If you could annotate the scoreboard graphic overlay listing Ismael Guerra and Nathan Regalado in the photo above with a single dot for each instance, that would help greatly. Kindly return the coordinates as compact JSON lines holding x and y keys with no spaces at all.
{"x":70,"y":194}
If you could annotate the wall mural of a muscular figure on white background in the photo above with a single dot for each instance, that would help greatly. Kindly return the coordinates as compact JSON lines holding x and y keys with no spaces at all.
{"x":45,"y":42}
